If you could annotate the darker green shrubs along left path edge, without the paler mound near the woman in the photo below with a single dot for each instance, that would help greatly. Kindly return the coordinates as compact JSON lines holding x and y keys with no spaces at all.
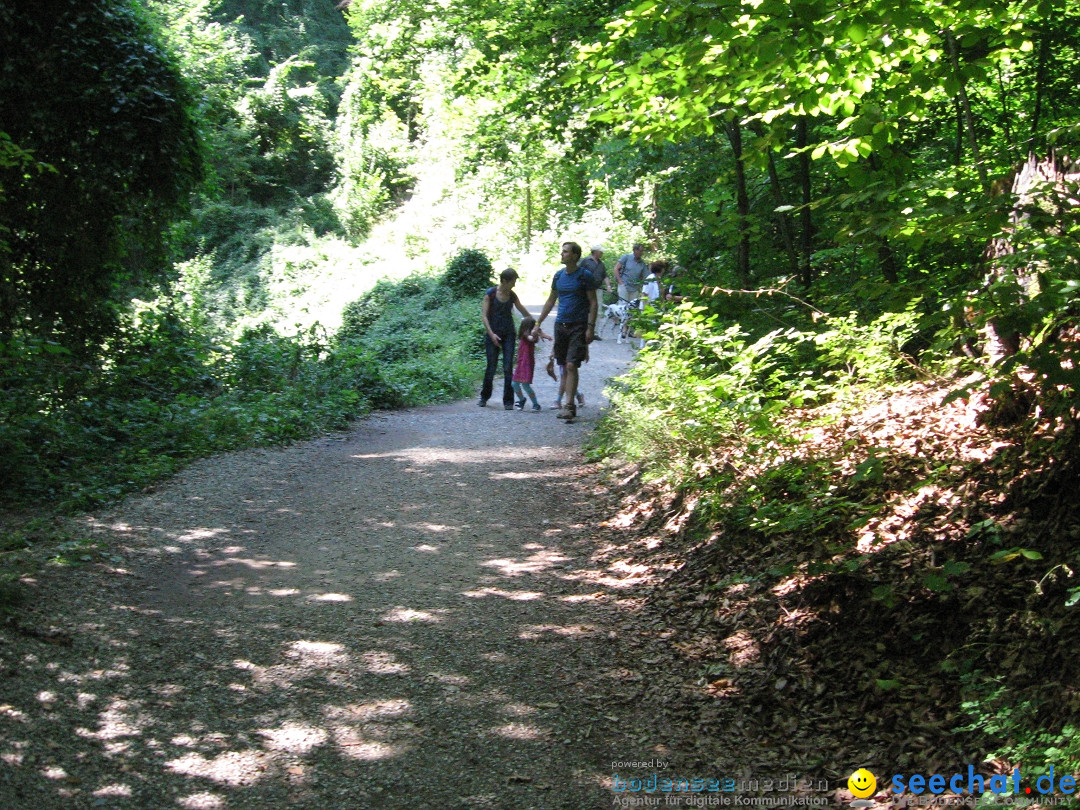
{"x":76,"y":435}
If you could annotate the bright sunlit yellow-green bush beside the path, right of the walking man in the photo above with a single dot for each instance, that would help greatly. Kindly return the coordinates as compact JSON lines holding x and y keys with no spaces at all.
{"x":701,"y":385}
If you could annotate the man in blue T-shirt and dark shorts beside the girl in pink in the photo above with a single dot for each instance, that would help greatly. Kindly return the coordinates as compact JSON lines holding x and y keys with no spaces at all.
{"x":575,"y":290}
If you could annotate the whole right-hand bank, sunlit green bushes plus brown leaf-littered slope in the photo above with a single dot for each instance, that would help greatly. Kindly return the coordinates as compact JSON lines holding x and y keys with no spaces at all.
{"x":866,"y":555}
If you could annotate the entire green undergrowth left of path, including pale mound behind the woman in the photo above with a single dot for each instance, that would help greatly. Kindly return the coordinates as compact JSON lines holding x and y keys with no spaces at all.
{"x":170,"y":387}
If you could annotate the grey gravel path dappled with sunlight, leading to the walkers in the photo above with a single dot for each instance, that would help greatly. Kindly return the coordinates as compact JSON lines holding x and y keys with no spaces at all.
{"x":407,"y":616}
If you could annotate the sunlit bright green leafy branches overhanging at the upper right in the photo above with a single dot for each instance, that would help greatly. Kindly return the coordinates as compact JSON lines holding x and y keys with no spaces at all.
{"x":873,"y":77}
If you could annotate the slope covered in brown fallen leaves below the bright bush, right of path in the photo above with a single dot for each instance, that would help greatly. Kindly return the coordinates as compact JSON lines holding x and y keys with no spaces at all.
{"x":909,"y":606}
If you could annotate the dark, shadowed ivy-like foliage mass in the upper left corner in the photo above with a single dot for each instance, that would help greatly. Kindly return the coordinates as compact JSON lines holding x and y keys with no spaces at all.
{"x":102,"y":121}
